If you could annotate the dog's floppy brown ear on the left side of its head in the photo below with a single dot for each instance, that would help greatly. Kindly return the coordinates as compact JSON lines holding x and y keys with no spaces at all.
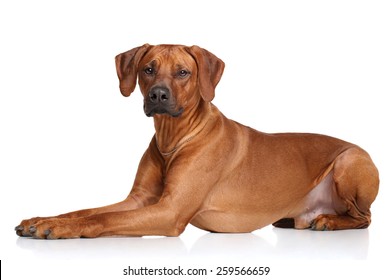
{"x":126,"y":65}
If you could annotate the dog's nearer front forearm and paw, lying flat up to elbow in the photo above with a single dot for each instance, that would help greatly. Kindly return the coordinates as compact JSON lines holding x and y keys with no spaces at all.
{"x":156,"y":219}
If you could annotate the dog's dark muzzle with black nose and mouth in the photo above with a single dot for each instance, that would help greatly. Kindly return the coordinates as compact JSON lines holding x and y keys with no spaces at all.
{"x":160,"y":100}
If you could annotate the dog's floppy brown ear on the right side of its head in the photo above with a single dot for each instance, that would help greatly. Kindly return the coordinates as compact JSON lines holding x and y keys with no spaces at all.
{"x":210,"y":70}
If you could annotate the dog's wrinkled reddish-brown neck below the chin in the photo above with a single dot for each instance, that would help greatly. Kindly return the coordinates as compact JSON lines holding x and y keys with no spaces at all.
{"x":171,"y":133}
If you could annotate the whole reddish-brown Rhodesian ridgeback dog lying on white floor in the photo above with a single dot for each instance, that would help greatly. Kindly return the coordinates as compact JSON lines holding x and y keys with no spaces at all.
{"x":214,"y":173}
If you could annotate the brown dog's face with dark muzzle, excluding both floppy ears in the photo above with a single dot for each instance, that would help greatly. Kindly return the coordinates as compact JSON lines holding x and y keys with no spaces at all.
{"x":167,"y":79}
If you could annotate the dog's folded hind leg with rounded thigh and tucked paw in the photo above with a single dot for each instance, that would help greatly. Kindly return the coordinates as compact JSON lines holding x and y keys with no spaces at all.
{"x":356,"y":183}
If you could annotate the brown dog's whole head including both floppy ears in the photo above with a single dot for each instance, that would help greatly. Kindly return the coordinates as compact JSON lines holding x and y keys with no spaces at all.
{"x":172,"y":78}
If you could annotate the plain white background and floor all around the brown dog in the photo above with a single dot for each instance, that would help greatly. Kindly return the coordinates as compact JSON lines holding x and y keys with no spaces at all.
{"x":69,"y":140}
